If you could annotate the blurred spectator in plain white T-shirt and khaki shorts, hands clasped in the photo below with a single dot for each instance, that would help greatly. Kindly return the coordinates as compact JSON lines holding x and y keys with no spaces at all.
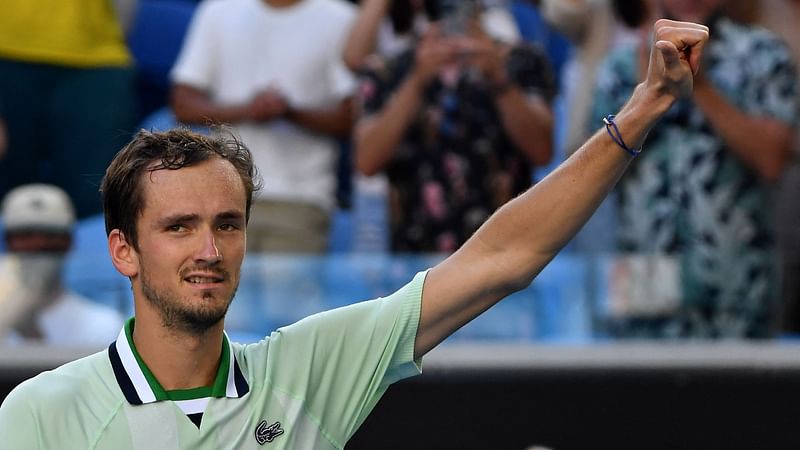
{"x":273,"y":69}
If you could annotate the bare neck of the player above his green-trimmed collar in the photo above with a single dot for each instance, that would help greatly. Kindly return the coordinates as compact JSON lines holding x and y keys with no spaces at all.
{"x":177,"y":359}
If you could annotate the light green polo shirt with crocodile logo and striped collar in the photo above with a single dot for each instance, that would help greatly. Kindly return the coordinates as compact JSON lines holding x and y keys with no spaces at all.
{"x":309,"y":385}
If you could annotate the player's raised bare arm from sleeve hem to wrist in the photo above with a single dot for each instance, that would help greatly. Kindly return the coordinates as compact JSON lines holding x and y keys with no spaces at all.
{"x":513,"y":246}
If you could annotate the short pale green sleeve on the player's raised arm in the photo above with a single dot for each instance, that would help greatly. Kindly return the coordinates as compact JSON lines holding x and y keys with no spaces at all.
{"x":342,"y":361}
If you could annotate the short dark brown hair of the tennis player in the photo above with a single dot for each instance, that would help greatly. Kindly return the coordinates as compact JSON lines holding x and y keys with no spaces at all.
{"x":121,"y":188}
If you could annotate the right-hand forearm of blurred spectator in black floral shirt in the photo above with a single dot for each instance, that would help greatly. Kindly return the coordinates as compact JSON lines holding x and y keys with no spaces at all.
{"x":529,"y":124}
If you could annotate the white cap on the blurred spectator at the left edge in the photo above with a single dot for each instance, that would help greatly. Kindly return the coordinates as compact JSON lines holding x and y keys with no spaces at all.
{"x":38,"y":207}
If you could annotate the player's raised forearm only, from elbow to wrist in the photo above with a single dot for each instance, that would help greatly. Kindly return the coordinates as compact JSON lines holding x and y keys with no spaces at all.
{"x":526,"y":233}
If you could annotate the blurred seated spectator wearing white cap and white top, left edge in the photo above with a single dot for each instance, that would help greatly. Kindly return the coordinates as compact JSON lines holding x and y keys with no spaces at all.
{"x":34,"y":304}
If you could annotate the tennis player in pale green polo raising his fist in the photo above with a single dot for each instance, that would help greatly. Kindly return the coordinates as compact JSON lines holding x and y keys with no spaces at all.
{"x":176,"y":208}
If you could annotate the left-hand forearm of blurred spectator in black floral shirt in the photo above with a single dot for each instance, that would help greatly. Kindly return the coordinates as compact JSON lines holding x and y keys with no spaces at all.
{"x":377,"y":136}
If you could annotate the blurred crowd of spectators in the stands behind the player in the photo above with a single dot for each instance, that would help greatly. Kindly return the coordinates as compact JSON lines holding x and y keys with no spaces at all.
{"x":386,"y":132}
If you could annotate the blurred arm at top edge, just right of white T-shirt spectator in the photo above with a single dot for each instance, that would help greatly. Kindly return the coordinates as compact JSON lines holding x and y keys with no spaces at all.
{"x":363,"y":34}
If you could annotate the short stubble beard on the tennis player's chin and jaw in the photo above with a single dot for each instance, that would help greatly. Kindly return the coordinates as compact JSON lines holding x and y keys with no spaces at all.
{"x":179,"y":315}
